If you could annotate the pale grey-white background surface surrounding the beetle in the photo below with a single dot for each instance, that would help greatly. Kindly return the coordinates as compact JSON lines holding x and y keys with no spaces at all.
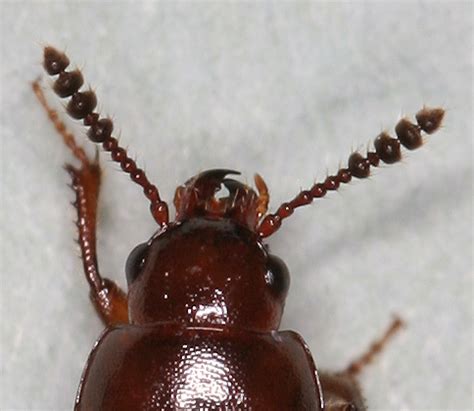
{"x":283,"y":89}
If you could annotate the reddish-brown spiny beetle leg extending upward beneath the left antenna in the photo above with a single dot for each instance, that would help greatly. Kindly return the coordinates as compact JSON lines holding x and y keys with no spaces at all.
{"x":108,"y":299}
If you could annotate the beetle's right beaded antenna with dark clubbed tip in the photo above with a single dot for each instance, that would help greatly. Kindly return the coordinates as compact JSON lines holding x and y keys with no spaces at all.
{"x":387,"y":150}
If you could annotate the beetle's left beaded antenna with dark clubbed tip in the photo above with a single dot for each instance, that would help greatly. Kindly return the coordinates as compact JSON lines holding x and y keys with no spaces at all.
{"x":81,"y":107}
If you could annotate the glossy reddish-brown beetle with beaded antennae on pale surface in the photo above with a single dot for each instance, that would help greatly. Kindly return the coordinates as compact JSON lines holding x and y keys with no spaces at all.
{"x":198,"y":328}
